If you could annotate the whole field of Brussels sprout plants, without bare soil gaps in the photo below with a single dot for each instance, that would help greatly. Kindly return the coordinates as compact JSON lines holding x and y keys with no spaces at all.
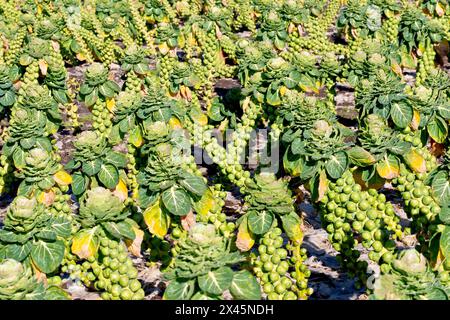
{"x":147,"y":98}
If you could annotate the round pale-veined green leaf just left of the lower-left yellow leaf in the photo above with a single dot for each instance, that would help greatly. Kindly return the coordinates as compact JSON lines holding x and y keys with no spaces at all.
{"x":47,"y":256}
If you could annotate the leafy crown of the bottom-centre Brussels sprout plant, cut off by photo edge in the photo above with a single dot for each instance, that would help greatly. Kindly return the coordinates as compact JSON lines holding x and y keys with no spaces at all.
{"x":202,"y":267}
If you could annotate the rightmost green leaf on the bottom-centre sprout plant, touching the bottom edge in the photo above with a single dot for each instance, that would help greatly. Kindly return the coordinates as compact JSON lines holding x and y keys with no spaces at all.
{"x":245,"y":287}
